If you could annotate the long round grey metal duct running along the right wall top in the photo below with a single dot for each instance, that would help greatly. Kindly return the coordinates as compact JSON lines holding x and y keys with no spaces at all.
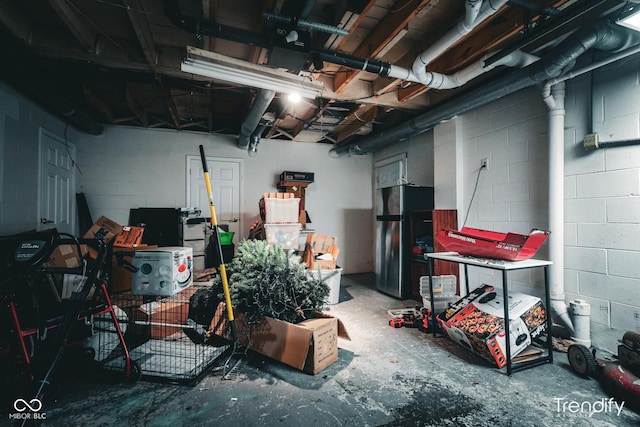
{"x":600,"y":35}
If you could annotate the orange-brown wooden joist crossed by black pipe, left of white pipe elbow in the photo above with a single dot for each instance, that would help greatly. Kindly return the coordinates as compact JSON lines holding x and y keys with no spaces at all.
{"x":385,"y":32}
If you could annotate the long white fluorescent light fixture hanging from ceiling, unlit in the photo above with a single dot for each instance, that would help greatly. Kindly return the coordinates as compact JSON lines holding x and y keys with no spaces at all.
{"x":224,"y":68}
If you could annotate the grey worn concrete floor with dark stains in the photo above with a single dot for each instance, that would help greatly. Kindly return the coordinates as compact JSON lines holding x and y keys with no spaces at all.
{"x":384,"y":377}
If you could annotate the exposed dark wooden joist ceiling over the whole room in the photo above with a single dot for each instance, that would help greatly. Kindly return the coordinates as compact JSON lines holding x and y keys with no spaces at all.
{"x":118,"y":63}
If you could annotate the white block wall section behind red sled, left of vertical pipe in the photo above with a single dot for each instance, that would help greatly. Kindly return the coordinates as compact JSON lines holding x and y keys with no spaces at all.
{"x":511,"y":195}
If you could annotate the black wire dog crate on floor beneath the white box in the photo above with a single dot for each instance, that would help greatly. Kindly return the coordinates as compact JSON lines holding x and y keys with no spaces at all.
{"x":161,"y":337}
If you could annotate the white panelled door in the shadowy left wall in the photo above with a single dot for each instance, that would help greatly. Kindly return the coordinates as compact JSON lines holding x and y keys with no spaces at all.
{"x":56,"y":206}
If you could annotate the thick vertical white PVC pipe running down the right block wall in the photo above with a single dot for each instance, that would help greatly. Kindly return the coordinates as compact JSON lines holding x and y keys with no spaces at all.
{"x":556,"y":205}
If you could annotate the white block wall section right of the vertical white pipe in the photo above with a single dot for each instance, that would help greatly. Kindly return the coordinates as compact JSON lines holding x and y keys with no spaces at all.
{"x":602,"y":209}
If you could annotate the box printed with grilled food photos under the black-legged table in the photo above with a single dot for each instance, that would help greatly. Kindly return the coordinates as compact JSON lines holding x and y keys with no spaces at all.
{"x":477,"y":323}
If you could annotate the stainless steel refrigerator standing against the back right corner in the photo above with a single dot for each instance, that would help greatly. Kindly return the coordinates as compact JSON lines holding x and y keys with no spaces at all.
{"x":393,"y":235}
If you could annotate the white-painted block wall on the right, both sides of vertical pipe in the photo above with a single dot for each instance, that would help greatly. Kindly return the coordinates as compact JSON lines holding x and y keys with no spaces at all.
{"x":602,"y":195}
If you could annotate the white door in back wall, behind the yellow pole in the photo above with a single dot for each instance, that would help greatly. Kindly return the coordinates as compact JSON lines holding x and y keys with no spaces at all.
{"x":225,"y":188}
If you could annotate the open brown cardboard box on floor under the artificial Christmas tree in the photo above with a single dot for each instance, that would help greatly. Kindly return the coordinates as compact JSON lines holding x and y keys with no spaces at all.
{"x":309,"y":346}
